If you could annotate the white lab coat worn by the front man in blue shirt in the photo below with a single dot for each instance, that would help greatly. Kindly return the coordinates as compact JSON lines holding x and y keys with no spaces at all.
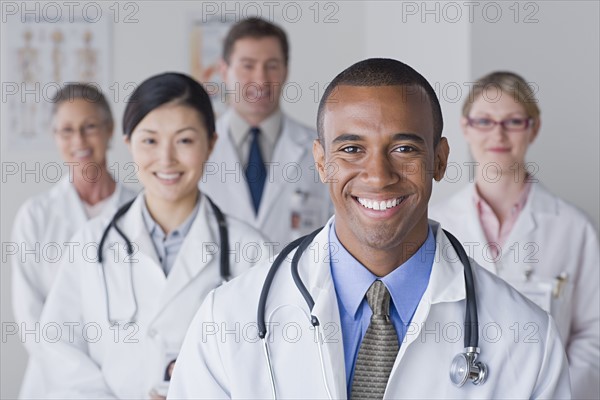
{"x":524,"y":361}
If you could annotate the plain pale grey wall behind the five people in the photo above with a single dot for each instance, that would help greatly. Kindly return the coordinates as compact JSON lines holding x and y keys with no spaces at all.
{"x":554,"y":44}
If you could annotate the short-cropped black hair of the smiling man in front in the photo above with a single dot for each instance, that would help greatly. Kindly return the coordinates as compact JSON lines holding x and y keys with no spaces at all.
{"x":383,"y":72}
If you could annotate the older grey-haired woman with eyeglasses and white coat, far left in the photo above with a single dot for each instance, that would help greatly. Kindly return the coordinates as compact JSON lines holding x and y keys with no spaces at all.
{"x":83,"y":126}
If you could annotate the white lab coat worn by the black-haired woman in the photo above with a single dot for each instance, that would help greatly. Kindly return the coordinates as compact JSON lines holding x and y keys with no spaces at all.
{"x":128,"y":360}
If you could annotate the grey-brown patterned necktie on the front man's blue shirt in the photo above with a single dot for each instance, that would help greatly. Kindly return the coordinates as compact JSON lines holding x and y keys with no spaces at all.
{"x":378,"y":349}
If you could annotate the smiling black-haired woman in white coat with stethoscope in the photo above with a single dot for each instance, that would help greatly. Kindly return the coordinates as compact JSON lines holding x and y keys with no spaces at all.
{"x":157,"y":258}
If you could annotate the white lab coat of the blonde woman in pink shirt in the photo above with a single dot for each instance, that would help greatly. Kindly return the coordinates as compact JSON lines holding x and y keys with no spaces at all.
{"x":550,"y":237}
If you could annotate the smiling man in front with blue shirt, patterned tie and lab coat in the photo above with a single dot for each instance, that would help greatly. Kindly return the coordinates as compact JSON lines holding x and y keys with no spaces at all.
{"x":379,"y":252}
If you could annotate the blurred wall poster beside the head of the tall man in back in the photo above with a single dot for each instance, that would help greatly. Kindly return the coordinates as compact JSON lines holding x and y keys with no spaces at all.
{"x":206,"y":45}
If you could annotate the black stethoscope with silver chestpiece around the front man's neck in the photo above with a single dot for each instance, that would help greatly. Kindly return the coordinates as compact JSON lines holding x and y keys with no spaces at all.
{"x":464,"y":366}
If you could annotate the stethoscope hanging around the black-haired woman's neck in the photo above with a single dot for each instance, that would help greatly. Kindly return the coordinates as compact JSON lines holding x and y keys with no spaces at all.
{"x":224,"y":250}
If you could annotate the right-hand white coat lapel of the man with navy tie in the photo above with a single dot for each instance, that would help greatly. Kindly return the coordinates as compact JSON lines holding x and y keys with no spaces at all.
{"x":288,"y":152}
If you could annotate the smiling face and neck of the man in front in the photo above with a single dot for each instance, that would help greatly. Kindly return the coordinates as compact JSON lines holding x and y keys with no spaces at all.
{"x":378,"y":159}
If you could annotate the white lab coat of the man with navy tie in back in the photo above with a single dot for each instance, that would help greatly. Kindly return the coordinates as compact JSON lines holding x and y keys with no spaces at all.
{"x":292,"y":188}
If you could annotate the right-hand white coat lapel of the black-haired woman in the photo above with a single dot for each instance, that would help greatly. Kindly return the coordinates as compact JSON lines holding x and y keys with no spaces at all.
{"x":195,"y":254}
